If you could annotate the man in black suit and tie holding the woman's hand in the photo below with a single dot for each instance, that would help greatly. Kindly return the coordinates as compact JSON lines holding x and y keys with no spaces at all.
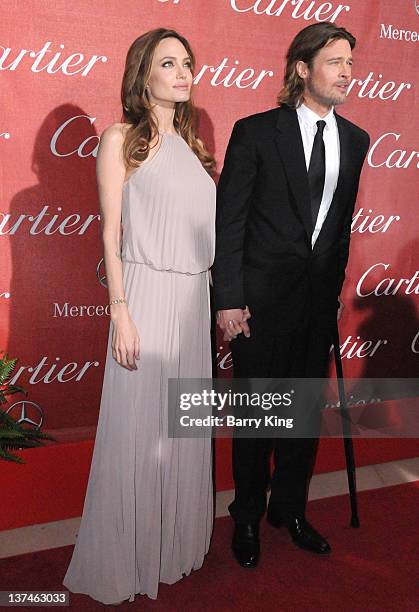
{"x":285,"y":202}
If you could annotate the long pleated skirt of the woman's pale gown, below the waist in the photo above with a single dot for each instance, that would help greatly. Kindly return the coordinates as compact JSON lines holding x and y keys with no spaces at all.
{"x":148,"y":512}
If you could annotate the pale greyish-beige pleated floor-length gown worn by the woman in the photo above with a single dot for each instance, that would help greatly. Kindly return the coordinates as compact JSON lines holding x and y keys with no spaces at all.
{"x":148,"y":511}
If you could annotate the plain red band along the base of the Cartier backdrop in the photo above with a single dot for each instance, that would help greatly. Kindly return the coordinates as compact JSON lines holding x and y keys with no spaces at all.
{"x":64,"y":467}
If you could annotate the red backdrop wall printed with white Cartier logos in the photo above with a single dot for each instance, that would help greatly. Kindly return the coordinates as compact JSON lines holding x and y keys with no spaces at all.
{"x":61,"y":67}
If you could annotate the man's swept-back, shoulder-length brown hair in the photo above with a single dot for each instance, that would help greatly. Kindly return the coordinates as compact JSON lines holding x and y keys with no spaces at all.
{"x":305,"y":47}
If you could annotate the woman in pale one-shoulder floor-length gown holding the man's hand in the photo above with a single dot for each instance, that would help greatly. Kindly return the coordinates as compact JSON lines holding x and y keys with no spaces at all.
{"x":148,"y":511}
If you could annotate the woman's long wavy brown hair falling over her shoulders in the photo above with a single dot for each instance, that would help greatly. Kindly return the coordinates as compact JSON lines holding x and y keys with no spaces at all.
{"x":137,"y":109}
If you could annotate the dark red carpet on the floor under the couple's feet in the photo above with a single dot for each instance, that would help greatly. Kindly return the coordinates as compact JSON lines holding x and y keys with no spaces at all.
{"x":374,"y":568}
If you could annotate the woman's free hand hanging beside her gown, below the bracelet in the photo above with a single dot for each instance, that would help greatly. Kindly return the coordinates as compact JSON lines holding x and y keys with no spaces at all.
{"x":125,"y":339}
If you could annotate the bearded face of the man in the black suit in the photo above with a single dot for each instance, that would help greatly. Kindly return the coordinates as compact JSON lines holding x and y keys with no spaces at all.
{"x":328,"y":79}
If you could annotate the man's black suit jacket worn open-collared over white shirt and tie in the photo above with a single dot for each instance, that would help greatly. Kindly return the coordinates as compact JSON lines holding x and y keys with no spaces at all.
{"x":263,"y":247}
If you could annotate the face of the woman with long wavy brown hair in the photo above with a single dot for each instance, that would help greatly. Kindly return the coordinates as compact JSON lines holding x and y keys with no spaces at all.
{"x":170,"y":77}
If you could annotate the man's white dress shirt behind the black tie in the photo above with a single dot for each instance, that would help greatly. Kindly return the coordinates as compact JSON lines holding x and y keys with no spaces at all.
{"x":307,"y":120}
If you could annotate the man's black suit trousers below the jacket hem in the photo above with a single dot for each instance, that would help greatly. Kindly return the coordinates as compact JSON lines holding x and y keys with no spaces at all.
{"x":299,"y":353}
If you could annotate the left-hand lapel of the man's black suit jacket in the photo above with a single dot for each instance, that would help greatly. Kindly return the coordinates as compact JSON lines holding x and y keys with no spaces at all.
{"x":290,"y":147}
